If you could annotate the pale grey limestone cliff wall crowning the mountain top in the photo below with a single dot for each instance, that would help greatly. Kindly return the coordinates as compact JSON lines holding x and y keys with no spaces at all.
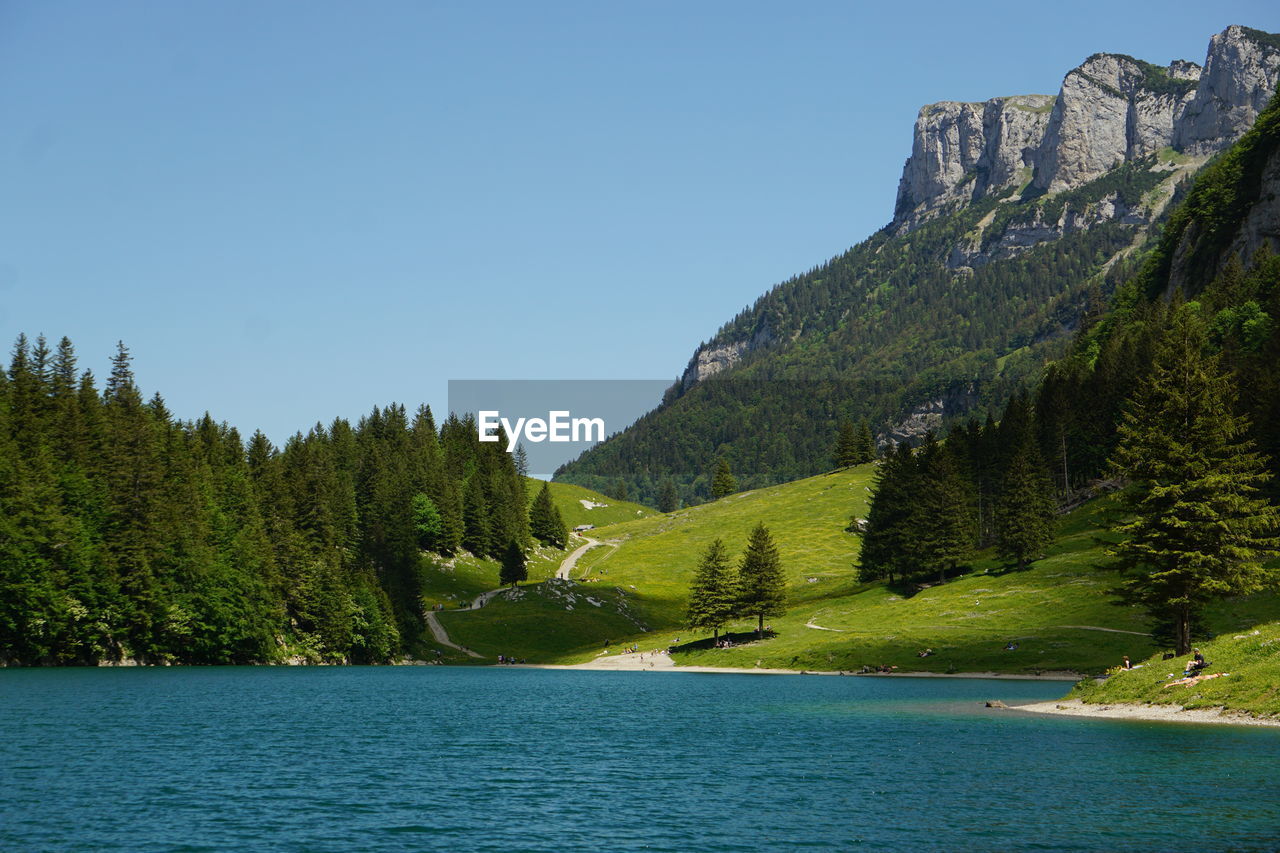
{"x":1110,"y":111}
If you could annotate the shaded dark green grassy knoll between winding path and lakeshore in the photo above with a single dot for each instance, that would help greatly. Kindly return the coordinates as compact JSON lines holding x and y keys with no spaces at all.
{"x":554,"y":622}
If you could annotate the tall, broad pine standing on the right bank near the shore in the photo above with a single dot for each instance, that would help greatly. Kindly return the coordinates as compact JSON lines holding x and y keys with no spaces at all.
{"x":1200,"y":528}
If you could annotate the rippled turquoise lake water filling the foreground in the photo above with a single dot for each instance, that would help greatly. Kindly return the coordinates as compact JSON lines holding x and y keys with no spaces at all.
{"x":436,"y":759}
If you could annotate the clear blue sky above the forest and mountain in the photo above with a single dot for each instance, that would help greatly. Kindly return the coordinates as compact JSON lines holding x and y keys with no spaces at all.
{"x":296,"y":211}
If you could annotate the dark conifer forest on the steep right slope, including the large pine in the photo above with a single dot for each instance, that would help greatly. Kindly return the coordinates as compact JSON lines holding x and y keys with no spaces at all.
{"x":1172,"y":399}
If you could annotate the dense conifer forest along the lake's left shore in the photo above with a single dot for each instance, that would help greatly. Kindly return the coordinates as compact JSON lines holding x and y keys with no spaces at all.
{"x":130,"y":535}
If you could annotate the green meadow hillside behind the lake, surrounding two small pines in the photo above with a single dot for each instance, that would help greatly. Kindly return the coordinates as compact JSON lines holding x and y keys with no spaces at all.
{"x":1062,"y":614}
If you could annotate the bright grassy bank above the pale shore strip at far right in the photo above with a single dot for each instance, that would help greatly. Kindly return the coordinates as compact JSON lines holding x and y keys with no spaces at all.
{"x":1250,"y":659}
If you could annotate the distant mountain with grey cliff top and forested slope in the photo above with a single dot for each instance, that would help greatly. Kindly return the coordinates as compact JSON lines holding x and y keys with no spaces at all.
{"x":1014,"y":220}
